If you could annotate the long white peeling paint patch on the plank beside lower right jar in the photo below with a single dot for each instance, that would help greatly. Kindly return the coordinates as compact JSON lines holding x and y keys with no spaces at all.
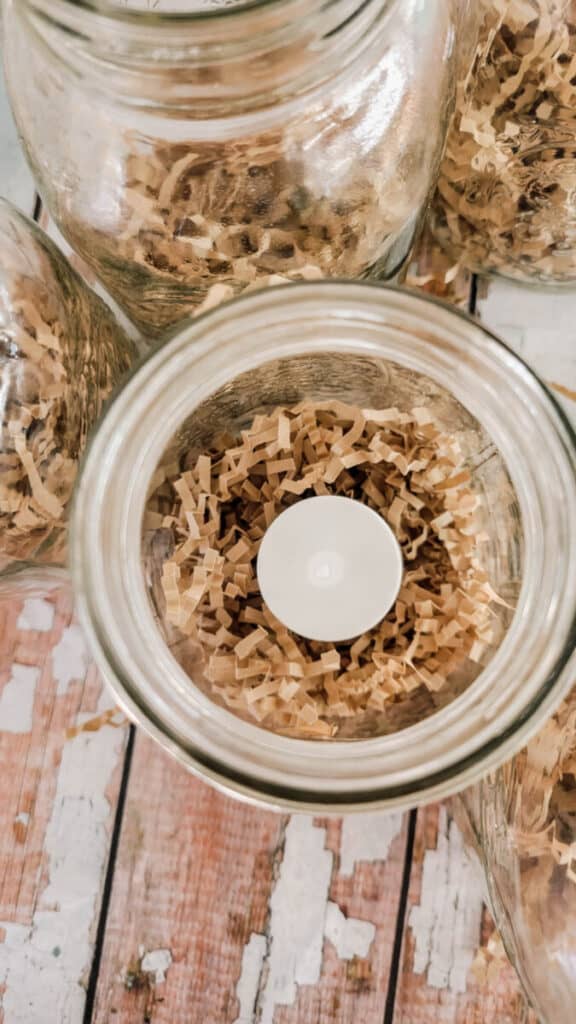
{"x":447,"y":923}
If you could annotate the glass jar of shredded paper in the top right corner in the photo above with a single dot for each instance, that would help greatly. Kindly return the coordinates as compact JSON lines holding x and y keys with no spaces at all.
{"x":506,"y":202}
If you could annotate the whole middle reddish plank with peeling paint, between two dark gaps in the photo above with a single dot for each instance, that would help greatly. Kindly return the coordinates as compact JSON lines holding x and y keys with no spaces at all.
{"x":258,"y":918}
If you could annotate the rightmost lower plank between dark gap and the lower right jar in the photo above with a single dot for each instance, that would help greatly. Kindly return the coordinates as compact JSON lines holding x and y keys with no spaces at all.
{"x":446,"y":923}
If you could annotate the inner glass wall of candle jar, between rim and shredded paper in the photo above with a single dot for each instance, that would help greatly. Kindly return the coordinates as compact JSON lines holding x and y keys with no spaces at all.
{"x":367,"y":383}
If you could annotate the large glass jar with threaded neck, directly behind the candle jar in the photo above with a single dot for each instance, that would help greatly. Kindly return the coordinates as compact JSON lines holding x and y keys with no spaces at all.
{"x":210,"y":150}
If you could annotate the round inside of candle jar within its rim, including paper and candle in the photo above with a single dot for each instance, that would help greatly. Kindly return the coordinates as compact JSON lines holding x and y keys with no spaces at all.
{"x":336,"y":393}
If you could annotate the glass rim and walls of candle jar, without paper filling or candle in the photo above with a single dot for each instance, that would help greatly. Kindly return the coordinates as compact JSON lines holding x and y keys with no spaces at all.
{"x":369,"y":347}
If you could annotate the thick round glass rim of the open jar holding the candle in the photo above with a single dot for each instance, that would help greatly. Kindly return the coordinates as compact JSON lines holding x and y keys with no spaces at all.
{"x":483,"y":728}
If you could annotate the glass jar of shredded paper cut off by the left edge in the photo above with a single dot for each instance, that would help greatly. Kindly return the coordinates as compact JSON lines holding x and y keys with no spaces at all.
{"x":61,"y":354}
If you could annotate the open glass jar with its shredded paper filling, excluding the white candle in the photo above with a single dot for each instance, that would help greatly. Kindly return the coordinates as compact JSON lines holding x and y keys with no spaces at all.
{"x":376,"y":357}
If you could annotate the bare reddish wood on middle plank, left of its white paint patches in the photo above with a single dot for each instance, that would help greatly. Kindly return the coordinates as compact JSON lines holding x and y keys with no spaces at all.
{"x":191,"y":888}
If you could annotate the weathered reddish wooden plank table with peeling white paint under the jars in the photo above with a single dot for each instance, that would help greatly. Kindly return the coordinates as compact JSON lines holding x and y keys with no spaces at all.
{"x":131,"y":892}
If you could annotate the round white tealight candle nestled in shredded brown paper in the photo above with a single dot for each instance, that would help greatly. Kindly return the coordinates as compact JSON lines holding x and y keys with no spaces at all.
{"x":330,"y":569}
